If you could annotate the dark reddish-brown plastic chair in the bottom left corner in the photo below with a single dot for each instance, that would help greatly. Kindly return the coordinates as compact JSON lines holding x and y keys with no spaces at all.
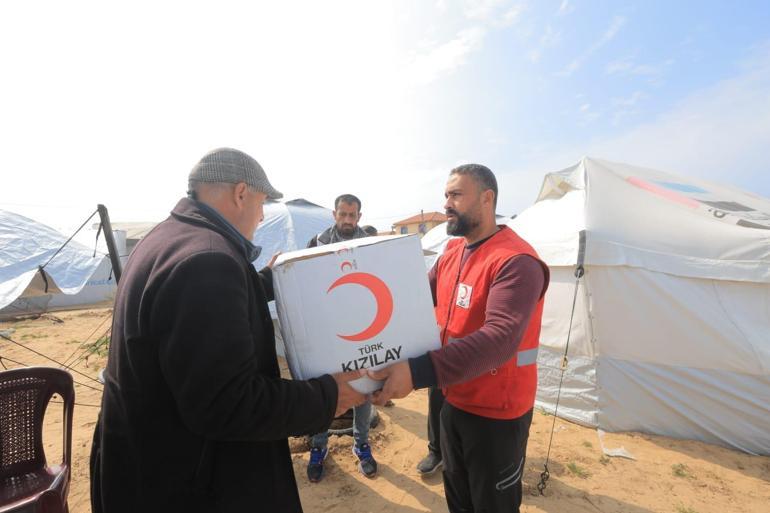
{"x":27,"y":482}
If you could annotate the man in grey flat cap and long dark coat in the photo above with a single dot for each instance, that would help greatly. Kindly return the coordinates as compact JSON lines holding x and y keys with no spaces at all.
{"x":195,"y":416}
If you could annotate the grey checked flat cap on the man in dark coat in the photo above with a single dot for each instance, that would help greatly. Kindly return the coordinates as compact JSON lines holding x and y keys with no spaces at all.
{"x":226,"y":165}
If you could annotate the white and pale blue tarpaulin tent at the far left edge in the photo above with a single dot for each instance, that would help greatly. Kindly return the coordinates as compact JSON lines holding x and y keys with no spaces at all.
{"x":25,"y":245}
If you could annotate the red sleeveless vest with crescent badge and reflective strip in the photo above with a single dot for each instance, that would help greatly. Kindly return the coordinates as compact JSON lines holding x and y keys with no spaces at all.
{"x":507,"y":392}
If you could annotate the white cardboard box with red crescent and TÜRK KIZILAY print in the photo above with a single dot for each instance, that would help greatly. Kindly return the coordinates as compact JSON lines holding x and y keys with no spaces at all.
{"x":359,"y":304}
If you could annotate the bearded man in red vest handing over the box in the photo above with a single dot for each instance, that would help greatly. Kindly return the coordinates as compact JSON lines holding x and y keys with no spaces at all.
{"x":488,"y":290}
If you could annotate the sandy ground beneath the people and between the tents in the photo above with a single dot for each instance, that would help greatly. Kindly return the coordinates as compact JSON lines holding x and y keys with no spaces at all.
{"x":667,"y":476}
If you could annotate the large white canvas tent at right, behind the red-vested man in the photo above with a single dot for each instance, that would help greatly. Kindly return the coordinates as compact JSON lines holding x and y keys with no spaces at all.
{"x":671,"y":333}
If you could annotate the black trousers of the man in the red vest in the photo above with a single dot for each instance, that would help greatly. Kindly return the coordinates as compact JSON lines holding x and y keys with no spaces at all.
{"x":483,"y":461}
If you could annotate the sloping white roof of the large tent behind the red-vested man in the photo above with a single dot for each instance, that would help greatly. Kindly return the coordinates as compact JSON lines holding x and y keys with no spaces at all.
{"x":649,"y":219}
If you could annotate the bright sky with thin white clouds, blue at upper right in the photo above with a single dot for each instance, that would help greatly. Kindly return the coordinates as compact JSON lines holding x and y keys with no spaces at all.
{"x":106,"y":102}
